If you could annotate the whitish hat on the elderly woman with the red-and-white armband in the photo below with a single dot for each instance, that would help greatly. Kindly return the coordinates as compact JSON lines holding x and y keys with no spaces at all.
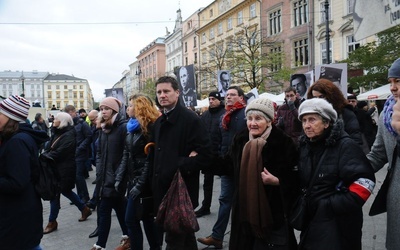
{"x":318,"y":106}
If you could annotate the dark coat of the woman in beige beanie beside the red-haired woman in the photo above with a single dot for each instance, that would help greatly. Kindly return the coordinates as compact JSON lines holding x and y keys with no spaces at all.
{"x":108,"y":159}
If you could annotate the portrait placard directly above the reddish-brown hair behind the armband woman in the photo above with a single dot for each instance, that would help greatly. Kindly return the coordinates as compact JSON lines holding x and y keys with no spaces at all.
{"x":335,"y":72}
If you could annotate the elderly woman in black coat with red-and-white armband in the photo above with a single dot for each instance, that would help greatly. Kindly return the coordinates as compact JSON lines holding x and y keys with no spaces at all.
{"x":337,"y":176}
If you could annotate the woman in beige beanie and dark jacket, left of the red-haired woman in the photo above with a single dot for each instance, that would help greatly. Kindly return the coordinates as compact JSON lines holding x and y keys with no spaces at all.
{"x":110,"y":190}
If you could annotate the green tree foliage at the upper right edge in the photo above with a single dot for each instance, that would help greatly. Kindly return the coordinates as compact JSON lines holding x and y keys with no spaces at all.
{"x":375,"y":59}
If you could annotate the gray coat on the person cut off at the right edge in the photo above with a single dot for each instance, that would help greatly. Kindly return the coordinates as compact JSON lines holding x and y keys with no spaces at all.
{"x":382,"y":153}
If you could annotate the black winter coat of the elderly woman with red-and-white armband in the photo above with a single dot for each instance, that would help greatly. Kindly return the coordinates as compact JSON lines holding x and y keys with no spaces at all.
{"x":335,"y":213}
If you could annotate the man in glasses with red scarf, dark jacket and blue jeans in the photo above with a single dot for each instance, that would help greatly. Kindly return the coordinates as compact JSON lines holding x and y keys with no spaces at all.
{"x":232,"y":122}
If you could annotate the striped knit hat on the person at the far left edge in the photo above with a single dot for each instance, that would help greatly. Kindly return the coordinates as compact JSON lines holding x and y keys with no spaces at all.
{"x":15,"y":107}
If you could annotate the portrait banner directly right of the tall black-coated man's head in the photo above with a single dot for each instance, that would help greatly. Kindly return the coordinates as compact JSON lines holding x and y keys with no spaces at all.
{"x":187,"y":85}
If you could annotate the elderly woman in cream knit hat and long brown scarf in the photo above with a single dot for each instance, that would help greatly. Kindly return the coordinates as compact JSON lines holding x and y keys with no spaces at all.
{"x":264,"y":160}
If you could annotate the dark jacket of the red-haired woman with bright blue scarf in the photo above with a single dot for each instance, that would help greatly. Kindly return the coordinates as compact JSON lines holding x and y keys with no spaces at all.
{"x":135,"y":164}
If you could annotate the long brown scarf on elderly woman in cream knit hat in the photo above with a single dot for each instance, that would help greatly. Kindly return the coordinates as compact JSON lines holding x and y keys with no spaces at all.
{"x":254,"y":204}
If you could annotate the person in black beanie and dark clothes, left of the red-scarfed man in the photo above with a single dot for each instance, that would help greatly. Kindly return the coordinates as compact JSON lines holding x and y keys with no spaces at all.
{"x":211,"y":119}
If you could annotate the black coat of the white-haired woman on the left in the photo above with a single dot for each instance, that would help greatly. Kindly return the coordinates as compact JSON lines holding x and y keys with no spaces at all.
{"x":63,"y":153}
